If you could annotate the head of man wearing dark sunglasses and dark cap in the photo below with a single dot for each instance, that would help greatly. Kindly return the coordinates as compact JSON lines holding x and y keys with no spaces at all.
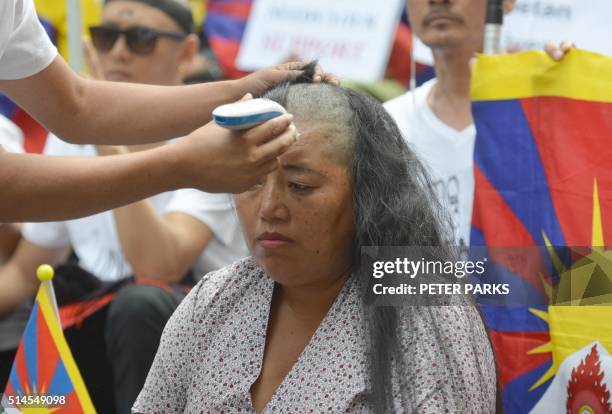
{"x":148,"y":40}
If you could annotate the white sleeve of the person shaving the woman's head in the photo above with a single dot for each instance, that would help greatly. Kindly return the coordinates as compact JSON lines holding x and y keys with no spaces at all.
{"x":25,"y":48}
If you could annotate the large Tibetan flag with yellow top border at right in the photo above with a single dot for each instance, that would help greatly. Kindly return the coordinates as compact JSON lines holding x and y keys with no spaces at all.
{"x":543,"y":174}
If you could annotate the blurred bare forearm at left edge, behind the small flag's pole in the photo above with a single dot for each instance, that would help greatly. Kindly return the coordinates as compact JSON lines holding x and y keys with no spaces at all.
{"x":18,"y":276}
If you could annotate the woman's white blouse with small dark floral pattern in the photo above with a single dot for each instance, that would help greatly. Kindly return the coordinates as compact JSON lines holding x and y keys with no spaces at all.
{"x":212,"y":348}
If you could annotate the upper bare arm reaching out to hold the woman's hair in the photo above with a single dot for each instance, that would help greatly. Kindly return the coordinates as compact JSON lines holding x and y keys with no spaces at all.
{"x":89,"y":111}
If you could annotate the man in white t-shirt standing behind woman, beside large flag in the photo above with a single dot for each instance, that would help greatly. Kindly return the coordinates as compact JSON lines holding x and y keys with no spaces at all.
{"x":436,"y":119}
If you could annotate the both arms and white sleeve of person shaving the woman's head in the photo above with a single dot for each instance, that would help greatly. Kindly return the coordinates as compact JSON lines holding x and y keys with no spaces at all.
{"x":87,"y":111}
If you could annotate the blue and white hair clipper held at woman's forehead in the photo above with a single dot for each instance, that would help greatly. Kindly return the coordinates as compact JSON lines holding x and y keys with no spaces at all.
{"x":247,"y":114}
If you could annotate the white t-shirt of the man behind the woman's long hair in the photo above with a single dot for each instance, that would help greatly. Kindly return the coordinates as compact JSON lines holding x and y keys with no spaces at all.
{"x":447,"y":153}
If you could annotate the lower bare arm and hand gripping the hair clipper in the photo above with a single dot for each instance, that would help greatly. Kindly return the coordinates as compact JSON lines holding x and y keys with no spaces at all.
{"x":37,"y":188}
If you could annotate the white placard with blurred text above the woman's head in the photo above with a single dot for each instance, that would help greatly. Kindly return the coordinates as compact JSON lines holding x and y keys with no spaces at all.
{"x":350,"y":38}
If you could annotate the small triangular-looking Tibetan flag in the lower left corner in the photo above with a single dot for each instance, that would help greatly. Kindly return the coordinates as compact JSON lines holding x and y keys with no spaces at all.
{"x":44,"y":377}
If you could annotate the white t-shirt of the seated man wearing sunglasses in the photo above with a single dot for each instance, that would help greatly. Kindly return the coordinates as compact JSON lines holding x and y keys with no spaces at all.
{"x":95,"y":239}
